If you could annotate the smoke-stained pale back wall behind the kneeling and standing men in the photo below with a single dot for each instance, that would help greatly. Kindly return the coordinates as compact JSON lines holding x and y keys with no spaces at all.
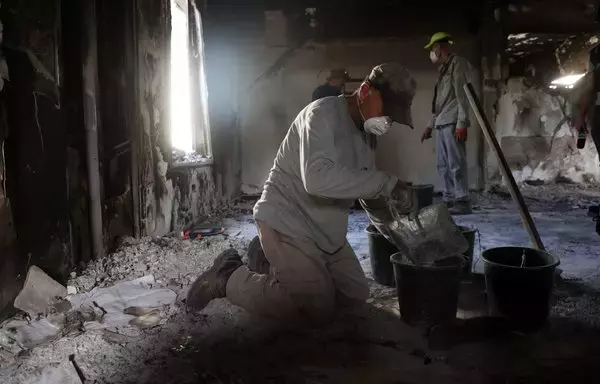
{"x":268,"y":107}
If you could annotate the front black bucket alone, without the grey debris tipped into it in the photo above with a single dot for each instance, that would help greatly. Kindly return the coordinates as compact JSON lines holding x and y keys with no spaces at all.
{"x":428,"y":295}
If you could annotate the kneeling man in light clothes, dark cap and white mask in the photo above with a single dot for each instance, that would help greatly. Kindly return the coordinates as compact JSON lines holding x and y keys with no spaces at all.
{"x":323,"y":165}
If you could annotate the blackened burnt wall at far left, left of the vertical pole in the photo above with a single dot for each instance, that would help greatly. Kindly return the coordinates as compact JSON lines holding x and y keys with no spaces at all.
{"x":35,"y":145}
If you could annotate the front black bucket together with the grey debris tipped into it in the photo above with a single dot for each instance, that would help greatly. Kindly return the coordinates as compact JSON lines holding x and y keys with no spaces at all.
{"x":428,"y":269}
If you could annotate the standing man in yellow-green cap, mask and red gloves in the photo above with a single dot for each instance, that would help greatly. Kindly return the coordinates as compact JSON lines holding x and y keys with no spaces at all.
{"x":450,"y":109}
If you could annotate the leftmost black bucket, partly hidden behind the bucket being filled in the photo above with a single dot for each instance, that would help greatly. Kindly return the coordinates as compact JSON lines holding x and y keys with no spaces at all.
{"x":380,"y":250}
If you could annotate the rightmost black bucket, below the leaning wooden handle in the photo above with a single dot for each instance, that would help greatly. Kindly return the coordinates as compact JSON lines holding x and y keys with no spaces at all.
{"x":520,"y":294}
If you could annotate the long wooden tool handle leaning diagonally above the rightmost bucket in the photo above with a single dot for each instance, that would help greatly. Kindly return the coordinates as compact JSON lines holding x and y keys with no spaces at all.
{"x":504,"y":168}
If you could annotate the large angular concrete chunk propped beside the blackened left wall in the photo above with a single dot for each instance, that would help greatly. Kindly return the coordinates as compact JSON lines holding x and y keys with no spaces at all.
{"x":39,"y":292}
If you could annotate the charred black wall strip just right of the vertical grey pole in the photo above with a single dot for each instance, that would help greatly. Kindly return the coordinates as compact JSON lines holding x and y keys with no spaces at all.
{"x":117,"y":91}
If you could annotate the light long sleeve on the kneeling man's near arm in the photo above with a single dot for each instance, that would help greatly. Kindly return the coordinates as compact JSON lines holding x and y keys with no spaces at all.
{"x":323,"y":177}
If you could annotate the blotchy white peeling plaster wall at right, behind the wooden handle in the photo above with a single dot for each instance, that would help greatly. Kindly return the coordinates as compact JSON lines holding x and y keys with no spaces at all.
{"x":526,"y":121}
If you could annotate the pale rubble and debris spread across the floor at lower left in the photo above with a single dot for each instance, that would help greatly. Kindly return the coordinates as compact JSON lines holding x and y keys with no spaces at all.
{"x":135,"y":291}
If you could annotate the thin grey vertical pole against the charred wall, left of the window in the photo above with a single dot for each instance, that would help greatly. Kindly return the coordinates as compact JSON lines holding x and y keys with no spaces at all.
{"x":90,"y":111}
